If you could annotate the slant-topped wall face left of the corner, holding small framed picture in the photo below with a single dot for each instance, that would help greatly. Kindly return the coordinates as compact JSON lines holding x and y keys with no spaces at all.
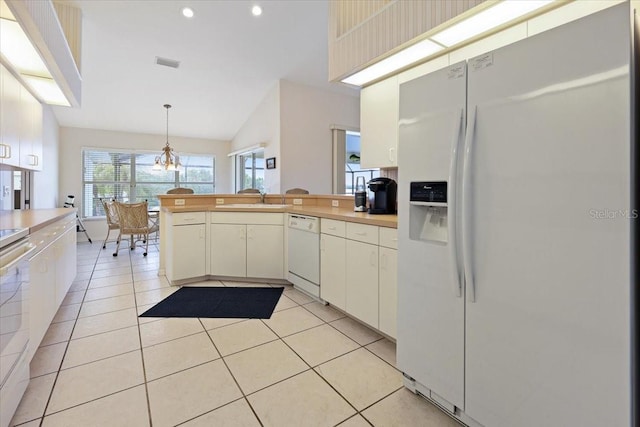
{"x":263,"y":126}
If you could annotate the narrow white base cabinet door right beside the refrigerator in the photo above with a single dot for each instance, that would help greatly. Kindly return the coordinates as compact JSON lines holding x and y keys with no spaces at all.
{"x":388,"y":291}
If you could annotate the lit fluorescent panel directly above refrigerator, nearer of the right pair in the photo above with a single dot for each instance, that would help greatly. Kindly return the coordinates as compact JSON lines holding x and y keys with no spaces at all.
{"x":486,"y":20}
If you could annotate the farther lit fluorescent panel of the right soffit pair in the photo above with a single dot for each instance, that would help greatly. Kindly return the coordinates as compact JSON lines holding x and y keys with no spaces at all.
{"x":399,"y":60}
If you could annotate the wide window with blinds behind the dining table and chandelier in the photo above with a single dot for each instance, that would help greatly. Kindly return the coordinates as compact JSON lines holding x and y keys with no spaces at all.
{"x":128,"y":177}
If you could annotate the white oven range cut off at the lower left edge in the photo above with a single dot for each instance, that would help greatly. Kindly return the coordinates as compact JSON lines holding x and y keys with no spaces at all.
{"x":15,"y":250}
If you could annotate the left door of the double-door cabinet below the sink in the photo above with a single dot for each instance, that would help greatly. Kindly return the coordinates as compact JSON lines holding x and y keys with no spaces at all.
{"x":229,"y":250}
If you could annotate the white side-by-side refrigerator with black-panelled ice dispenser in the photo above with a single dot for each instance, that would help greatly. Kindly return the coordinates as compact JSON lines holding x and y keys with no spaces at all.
{"x":515,"y":230}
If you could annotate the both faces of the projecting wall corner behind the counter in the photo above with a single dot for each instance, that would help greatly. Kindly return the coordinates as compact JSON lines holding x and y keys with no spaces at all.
{"x":294,"y":120}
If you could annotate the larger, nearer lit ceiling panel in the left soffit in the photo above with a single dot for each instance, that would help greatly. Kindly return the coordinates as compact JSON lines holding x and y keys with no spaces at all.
{"x":18,"y":50}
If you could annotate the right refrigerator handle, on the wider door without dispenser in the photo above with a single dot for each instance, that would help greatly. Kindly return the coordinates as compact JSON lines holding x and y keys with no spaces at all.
{"x":466,"y":208}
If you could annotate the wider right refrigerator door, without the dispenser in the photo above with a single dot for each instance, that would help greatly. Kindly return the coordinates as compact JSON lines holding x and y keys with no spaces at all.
{"x":547,"y":338}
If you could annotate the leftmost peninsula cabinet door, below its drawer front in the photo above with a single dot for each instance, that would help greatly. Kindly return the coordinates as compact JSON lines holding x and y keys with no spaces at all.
{"x":189,"y":251}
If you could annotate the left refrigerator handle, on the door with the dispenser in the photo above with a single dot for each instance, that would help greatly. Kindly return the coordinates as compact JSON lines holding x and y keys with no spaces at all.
{"x":451,"y":198}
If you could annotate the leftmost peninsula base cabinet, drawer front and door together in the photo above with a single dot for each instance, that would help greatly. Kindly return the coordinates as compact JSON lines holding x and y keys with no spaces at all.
{"x":186,"y":245}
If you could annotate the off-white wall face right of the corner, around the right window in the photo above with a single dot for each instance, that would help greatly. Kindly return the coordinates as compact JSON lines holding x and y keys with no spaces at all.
{"x":306,"y":116}
